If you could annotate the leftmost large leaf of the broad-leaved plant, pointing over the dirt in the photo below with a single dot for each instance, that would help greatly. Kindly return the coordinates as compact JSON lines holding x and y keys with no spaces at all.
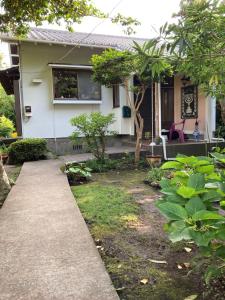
{"x":172,"y":211}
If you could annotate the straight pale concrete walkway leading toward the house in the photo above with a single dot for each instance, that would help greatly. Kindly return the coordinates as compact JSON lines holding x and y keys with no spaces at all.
{"x":46,"y":251}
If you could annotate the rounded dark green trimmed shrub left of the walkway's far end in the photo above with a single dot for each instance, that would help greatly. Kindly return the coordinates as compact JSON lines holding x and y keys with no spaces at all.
{"x":27,"y":150}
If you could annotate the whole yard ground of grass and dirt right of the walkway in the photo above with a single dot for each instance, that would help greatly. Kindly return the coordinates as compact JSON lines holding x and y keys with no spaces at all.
{"x":127,"y":229}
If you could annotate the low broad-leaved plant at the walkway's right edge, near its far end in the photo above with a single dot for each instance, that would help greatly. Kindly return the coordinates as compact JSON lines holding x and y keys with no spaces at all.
{"x":77,"y":172}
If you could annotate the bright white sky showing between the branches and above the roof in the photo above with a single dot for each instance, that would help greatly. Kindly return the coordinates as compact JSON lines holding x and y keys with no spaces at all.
{"x":151,"y":13}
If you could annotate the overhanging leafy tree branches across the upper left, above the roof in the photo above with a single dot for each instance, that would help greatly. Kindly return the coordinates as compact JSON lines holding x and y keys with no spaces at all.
{"x":16,"y":16}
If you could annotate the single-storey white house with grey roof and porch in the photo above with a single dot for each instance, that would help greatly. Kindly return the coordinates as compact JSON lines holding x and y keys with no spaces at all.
{"x":55,"y":85}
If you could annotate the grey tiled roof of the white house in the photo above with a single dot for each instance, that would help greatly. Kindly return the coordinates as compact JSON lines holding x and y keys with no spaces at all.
{"x":76,"y":38}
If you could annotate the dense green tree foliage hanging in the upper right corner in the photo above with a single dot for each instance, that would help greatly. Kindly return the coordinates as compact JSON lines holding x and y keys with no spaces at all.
{"x":196,"y":41}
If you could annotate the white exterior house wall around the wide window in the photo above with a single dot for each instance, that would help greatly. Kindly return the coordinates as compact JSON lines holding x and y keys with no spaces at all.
{"x":50,"y":120}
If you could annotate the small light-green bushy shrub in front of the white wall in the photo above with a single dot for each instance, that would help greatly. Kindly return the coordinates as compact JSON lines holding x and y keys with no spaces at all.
{"x":95,"y":128}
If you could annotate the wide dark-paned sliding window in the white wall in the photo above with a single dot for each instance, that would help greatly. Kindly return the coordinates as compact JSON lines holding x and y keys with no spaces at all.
{"x":72,"y":84}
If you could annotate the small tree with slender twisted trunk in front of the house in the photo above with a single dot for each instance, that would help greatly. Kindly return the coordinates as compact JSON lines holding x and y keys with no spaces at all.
{"x":146,"y":63}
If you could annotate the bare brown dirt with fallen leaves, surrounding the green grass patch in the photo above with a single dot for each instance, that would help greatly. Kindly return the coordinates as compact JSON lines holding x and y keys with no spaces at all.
{"x":143,"y":251}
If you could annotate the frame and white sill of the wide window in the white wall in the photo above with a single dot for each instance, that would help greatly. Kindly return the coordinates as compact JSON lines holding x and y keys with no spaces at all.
{"x":73,"y":100}
